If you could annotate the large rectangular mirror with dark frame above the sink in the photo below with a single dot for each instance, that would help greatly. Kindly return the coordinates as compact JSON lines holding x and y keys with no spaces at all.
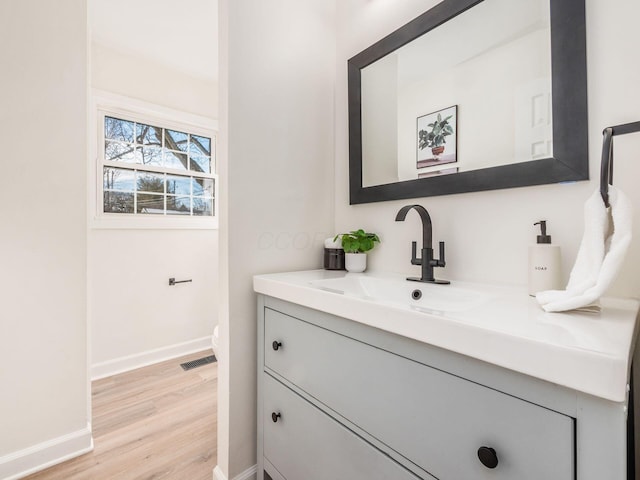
{"x":470,"y":96}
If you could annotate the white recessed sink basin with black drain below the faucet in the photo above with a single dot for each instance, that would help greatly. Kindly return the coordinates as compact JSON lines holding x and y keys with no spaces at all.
{"x":401,"y":292}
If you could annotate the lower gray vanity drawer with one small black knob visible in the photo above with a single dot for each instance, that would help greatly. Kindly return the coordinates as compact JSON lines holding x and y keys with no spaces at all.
{"x":306,"y":444}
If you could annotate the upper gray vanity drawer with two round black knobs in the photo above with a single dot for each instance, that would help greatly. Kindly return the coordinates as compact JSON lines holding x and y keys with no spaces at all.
{"x":434,"y":419}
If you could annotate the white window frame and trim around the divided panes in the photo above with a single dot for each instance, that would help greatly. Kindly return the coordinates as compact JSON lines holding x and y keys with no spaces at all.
{"x":113,"y":105}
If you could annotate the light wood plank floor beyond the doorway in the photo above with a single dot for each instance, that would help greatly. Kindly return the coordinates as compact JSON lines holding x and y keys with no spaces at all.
{"x":157,"y":422}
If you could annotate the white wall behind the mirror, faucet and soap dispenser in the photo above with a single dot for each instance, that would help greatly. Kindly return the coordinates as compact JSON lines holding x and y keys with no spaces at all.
{"x":487,"y":233}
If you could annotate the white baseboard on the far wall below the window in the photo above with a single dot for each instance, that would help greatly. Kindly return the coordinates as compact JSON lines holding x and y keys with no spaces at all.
{"x":143,"y":359}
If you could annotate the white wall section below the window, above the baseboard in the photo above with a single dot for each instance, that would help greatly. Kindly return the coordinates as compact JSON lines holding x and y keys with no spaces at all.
{"x":134,"y":310}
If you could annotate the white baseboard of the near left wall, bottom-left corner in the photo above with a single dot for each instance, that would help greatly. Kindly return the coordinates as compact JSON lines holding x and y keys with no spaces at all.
{"x":46,"y":454}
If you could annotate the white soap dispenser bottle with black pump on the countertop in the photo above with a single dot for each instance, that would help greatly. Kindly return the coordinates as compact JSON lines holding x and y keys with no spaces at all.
{"x":544,"y":263}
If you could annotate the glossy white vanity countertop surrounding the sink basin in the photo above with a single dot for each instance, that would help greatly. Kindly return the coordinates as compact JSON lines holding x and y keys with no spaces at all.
{"x":588,"y":352}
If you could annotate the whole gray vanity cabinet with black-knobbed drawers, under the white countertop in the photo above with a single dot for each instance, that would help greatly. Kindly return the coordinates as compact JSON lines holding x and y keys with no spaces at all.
{"x":350,"y":401}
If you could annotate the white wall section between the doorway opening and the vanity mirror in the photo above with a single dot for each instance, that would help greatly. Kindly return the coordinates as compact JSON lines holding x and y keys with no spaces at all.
{"x":277,"y":78}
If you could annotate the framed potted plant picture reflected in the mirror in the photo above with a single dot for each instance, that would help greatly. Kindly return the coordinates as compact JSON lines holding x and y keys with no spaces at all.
{"x":437,"y":138}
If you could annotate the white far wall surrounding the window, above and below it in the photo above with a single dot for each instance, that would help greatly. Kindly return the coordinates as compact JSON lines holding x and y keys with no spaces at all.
{"x":136,"y":318}
